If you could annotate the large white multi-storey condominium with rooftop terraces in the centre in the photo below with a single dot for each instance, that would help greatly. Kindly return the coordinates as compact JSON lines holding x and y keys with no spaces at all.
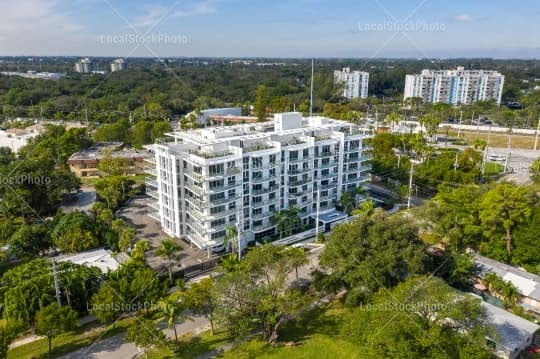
{"x":207,"y":179}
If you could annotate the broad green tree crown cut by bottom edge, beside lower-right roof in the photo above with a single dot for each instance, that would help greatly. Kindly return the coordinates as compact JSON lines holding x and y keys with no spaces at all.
{"x":421,"y":317}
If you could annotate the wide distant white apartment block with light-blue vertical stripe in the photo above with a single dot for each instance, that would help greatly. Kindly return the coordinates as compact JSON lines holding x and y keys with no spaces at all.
{"x":455,"y":86}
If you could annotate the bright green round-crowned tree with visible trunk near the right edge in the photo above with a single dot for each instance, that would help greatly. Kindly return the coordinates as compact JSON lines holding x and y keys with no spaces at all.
{"x":506,"y":205}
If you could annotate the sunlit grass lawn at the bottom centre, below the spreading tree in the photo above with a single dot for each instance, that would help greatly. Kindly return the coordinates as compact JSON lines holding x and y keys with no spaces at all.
{"x":316,"y":336}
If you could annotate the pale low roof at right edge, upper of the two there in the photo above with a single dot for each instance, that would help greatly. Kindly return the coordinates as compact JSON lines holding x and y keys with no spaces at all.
{"x":527,"y":284}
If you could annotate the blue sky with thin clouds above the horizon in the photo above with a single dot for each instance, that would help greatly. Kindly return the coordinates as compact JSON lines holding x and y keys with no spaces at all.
{"x":278,"y":28}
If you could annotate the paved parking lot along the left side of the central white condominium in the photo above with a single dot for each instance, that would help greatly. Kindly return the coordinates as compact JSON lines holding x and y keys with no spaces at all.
{"x":150,"y":230}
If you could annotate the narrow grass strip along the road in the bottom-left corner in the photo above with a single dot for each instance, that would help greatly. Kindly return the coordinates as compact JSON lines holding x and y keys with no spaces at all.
{"x":67,"y":342}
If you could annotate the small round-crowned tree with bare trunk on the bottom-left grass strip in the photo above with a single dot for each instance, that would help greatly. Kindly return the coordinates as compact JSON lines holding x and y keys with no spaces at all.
{"x":53,"y":320}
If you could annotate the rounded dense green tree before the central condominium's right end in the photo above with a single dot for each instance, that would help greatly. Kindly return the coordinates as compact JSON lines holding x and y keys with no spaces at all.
{"x":370,"y":253}
